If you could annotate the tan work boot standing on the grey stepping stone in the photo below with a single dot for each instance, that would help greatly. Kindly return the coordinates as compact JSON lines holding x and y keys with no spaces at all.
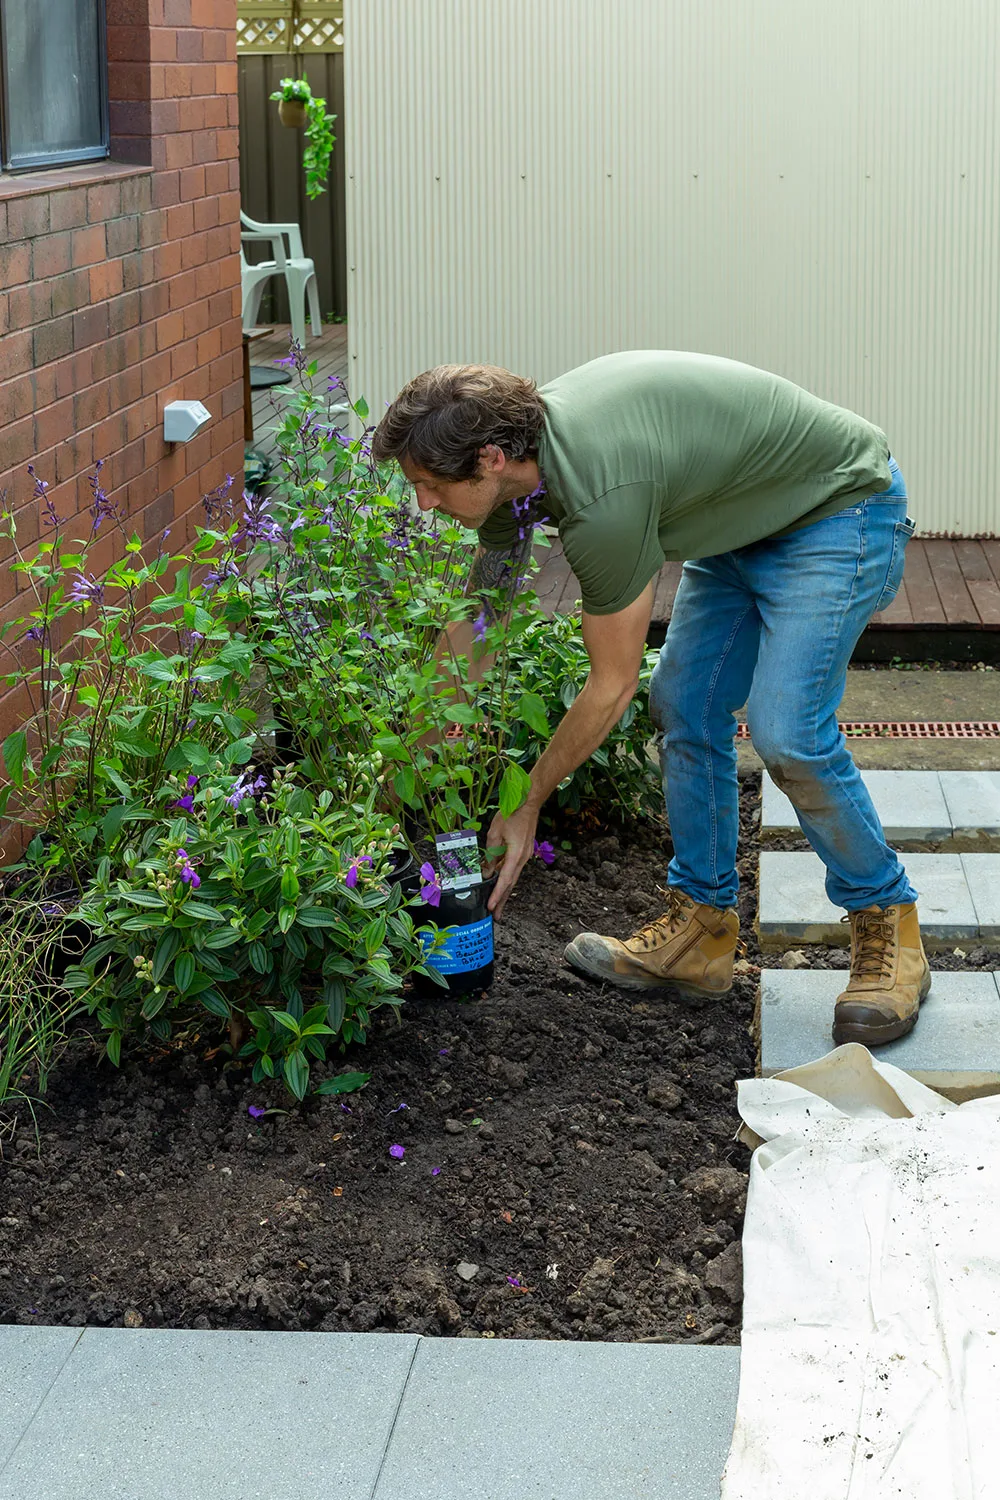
{"x":890,"y":976}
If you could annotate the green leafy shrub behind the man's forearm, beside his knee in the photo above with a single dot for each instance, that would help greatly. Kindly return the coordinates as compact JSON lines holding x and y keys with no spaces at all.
{"x":548,"y":670}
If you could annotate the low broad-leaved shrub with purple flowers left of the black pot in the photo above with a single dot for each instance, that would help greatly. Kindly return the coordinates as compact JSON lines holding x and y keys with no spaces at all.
{"x":259,"y":904}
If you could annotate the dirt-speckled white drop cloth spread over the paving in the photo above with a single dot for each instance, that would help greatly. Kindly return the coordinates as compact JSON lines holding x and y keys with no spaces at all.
{"x":872,"y":1309}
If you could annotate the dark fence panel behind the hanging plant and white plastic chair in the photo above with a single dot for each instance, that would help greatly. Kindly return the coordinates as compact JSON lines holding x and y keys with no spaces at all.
{"x":272,"y":179}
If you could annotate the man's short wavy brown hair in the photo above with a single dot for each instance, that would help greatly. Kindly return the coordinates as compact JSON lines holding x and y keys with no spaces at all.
{"x":443,"y":418}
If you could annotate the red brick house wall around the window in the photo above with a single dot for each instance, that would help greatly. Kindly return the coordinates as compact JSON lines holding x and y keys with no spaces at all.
{"x":121,"y":290}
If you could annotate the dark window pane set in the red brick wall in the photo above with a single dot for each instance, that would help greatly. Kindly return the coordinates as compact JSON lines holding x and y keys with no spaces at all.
{"x":53,"y":80}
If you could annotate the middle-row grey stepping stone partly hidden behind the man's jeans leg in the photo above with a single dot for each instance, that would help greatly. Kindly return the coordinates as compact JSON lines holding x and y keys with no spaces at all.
{"x":794,"y":905}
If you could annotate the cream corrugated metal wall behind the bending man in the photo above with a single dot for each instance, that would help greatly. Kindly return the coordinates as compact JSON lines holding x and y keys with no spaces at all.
{"x":804,"y":185}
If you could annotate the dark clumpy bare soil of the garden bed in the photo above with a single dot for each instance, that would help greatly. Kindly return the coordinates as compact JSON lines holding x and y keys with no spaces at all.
{"x":570,"y":1162}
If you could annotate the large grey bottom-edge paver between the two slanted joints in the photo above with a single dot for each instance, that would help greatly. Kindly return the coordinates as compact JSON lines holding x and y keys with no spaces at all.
{"x":149,"y":1415}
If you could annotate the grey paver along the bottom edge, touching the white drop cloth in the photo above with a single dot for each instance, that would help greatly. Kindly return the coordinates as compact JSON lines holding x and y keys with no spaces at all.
{"x":534,"y":1421}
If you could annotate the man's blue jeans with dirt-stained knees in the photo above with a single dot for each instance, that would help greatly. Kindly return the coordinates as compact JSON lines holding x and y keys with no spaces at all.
{"x":774,"y":626}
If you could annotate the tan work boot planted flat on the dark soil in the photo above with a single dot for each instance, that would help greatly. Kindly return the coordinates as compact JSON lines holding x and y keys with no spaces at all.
{"x":690,"y":949}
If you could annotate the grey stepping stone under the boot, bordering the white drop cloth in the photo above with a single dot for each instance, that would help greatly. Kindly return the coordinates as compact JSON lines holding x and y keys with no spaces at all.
{"x":954,"y":1048}
